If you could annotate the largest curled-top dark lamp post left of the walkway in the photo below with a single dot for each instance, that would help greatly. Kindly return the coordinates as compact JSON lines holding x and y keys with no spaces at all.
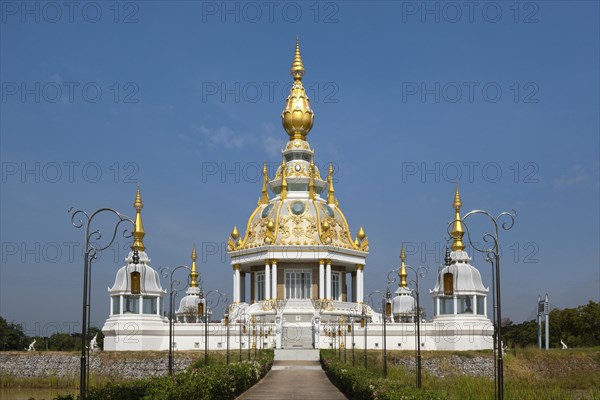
{"x":79,"y":219}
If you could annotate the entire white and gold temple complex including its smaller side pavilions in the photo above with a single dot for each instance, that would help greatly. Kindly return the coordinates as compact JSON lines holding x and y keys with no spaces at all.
{"x":298,"y":274}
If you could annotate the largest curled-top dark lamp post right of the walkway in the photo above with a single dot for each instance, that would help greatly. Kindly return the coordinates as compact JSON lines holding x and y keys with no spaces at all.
{"x":492,"y":255}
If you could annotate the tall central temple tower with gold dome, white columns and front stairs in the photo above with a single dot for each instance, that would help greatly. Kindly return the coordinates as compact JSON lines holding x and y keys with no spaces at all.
{"x":297,"y":249}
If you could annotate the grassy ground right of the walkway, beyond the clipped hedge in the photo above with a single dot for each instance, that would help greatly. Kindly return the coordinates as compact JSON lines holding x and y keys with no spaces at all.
{"x":529,"y":374}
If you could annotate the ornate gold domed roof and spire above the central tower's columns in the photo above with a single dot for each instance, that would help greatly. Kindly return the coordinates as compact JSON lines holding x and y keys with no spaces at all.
{"x":297,"y":214}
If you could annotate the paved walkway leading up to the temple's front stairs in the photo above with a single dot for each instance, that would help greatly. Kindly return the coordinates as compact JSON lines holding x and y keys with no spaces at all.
{"x":294,"y":380}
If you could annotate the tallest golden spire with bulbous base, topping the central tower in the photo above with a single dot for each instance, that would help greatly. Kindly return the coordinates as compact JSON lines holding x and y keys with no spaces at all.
{"x":297,"y":116}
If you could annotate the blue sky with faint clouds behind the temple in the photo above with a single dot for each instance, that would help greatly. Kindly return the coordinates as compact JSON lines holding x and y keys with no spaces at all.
{"x":408,"y":98}
